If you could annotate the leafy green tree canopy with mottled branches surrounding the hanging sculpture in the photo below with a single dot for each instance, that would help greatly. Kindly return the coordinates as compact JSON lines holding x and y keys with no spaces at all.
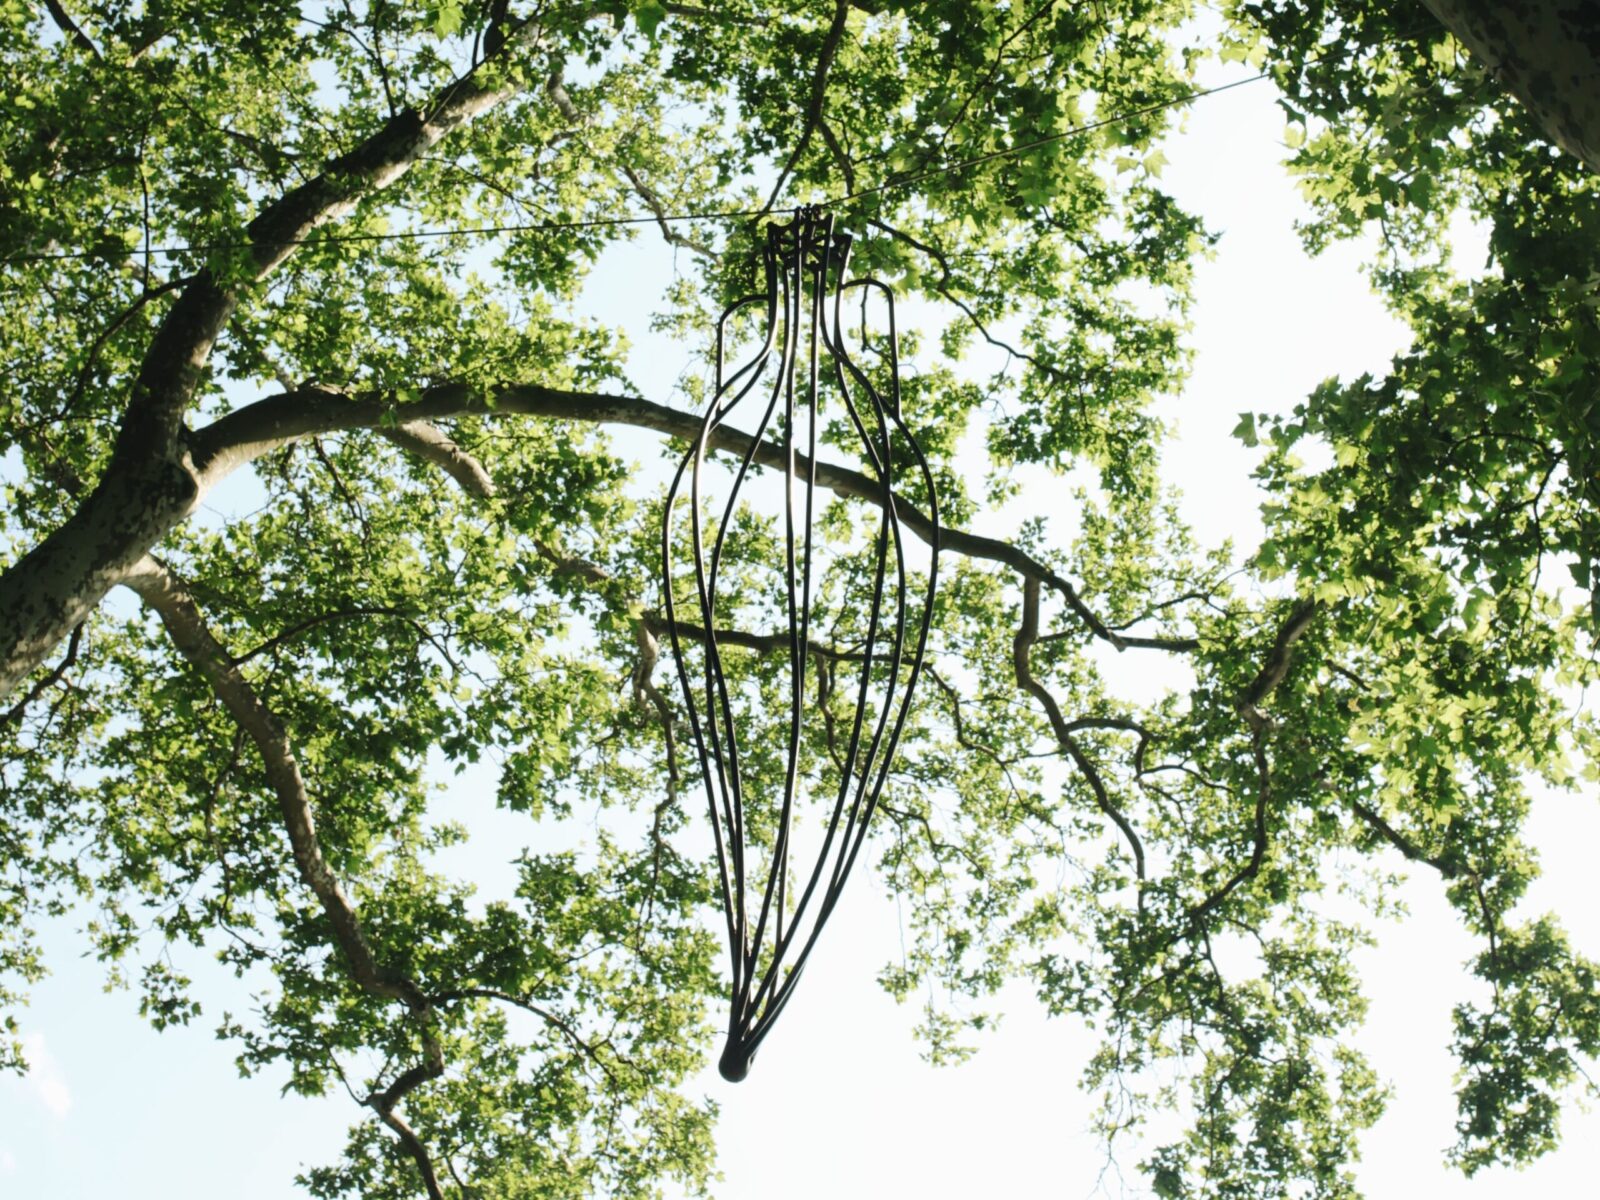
{"x":223,"y":255}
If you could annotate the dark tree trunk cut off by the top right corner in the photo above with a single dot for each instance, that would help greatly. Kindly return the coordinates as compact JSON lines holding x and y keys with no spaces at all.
{"x":1546,"y":54}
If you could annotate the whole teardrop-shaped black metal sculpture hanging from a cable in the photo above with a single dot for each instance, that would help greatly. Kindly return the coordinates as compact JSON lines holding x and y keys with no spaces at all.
{"x":775,"y":913}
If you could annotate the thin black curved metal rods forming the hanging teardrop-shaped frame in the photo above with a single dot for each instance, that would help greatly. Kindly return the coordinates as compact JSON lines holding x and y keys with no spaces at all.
{"x":774,"y":921}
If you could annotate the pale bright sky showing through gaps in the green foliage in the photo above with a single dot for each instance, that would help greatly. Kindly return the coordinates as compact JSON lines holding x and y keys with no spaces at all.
{"x":839,"y":1102}
